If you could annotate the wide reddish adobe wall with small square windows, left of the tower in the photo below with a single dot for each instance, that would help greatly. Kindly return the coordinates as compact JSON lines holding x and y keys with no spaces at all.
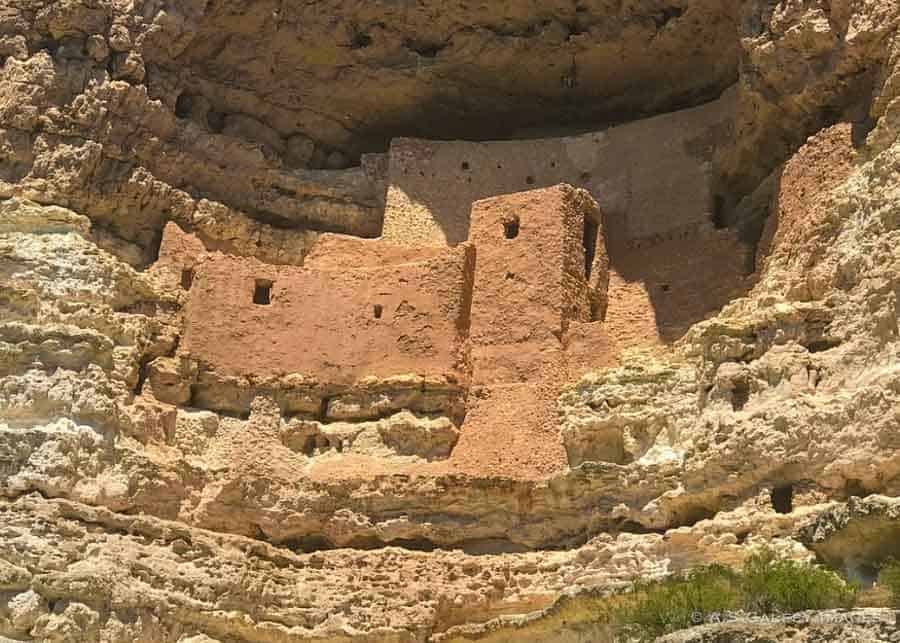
{"x":355,"y":318}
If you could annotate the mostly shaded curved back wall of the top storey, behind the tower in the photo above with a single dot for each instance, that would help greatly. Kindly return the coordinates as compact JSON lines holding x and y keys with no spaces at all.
{"x":649,"y":177}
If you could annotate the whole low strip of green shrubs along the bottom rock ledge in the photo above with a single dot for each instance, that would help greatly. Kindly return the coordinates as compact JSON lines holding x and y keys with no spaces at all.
{"x":766,"y":585}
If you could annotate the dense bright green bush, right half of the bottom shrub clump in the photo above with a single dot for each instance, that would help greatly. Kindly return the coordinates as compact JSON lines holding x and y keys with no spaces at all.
{"x":774,"y":585}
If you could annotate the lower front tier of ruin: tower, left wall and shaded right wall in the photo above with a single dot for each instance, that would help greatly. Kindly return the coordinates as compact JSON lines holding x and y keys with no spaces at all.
{"x":502,"y":322}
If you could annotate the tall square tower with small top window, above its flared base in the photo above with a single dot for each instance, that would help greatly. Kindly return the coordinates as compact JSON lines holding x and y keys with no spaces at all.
{"x":527,"y":288}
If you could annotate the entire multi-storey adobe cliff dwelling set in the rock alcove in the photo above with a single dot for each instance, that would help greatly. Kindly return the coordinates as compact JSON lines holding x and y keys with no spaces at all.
{"x":495,"y":282}
